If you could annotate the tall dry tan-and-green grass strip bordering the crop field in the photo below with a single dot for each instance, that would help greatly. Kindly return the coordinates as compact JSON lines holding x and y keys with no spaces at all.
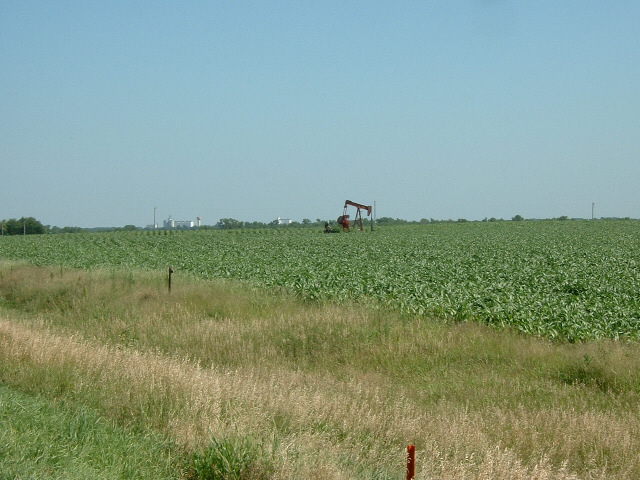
{"x":262,"y":386}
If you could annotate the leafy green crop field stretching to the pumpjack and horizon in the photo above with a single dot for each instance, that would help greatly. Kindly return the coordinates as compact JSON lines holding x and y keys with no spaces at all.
{"x":567,"y":280}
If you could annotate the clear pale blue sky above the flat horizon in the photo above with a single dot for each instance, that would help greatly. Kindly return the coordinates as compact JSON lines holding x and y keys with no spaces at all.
{"x":258,"y":110}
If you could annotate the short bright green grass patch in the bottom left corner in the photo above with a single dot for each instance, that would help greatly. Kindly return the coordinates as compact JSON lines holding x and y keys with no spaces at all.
{"x":44,"y":439}
